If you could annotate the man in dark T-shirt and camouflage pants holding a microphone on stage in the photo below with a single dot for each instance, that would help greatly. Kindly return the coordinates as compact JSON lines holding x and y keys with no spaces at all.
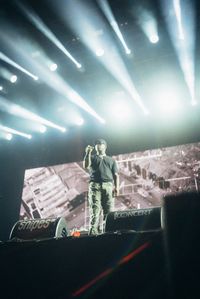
{"x":104,"y":183}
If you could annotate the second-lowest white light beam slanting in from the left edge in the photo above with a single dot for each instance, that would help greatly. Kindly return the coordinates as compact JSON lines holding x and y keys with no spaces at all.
{"x":17,"y":110}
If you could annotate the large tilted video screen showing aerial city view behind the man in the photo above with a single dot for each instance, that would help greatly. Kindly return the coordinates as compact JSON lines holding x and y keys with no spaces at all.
{"x":145,"y":177}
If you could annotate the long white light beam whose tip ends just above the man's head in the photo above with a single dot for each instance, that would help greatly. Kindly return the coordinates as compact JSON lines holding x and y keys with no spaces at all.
{"x":52,"y":79}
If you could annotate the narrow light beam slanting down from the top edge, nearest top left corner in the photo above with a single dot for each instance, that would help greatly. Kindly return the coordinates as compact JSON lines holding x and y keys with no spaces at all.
{"x":36,"y":21}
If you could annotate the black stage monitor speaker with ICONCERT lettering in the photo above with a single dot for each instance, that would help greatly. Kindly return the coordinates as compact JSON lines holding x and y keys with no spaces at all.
{"x":134,"y":219}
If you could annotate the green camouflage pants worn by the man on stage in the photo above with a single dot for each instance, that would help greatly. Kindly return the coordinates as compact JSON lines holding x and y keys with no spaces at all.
{"x":100,"y":197}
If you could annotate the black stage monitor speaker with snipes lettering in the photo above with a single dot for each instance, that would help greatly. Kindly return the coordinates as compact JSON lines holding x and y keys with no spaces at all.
{"x":39,"y":229}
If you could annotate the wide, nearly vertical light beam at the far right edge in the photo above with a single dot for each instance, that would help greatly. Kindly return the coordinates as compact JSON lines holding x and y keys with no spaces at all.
{"x":185,"y":48}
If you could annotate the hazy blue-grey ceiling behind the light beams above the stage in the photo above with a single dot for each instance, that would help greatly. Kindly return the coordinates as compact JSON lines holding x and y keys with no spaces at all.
{"x":150,"y":64}
